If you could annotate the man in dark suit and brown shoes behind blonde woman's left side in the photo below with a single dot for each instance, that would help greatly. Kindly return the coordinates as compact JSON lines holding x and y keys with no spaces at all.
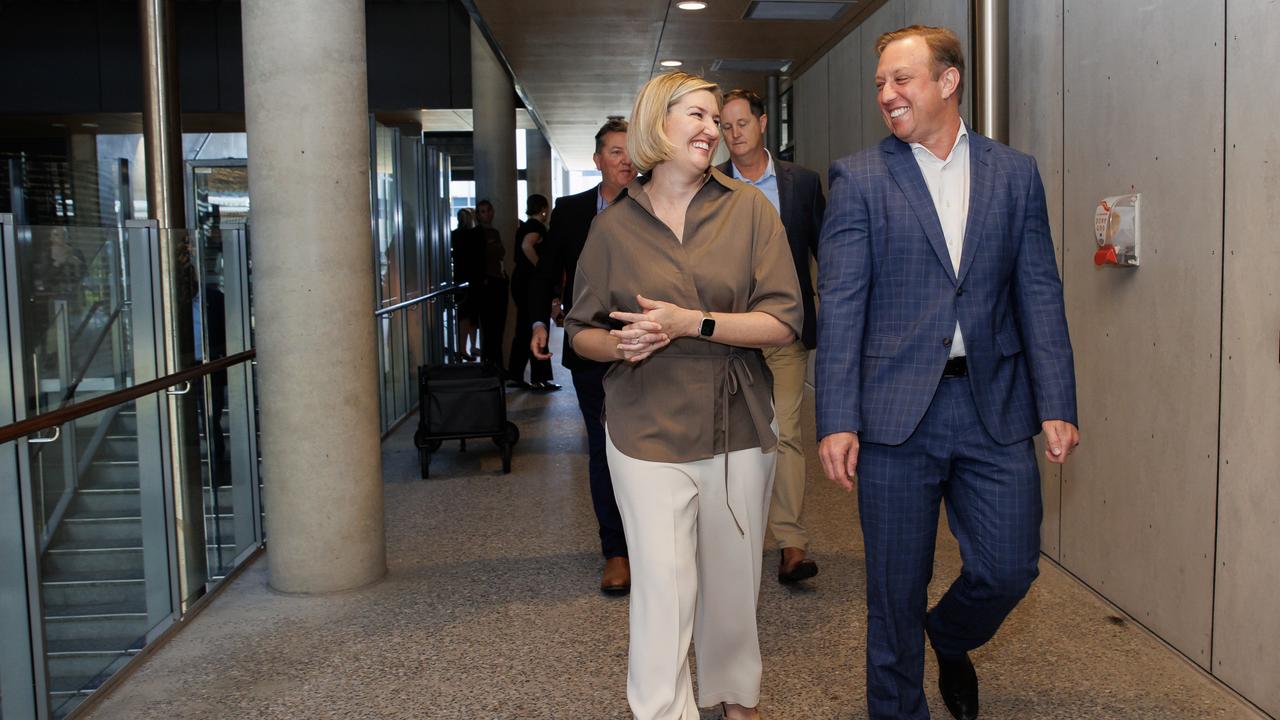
{"x":572,"y":221}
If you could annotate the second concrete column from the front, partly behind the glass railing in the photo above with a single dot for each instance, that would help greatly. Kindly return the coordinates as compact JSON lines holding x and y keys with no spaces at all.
{"x":493,"y":102}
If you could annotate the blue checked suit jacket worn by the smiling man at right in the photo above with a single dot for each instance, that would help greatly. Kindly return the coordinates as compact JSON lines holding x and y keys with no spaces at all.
{"x":890,"y":298}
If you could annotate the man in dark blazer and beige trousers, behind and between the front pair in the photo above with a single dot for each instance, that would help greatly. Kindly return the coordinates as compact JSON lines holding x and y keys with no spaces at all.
{"x":797,"y":195}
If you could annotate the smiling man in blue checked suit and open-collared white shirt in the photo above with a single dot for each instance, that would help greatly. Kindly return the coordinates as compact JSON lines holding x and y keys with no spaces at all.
{"x":943,"y":350}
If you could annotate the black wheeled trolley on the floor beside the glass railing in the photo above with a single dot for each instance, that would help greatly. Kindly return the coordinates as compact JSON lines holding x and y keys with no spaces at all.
{"x":463,"y":402}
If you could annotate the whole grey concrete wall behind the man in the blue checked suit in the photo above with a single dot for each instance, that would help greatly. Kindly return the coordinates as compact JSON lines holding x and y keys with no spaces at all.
{"x":1172,"y":508}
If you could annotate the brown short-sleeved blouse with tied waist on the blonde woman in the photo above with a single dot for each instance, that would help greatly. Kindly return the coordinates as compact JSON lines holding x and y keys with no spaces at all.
{"x":687,"y":400}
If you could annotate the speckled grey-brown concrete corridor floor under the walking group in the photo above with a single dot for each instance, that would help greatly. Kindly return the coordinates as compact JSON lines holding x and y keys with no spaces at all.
{"x":491,"y":610}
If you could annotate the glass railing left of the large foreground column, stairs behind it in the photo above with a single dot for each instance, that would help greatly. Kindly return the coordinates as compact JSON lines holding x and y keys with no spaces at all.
{"x":106,"y":534}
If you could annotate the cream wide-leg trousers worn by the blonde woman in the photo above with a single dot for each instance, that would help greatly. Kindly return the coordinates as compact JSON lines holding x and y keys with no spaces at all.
{"x":694,"y":576}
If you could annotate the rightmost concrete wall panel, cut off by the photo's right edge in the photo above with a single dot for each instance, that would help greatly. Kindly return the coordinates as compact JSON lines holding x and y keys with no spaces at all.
{"x":1246,"y":623}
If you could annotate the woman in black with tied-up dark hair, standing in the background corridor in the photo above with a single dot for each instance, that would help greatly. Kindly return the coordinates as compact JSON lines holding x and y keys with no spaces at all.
{"x":528,"y":238}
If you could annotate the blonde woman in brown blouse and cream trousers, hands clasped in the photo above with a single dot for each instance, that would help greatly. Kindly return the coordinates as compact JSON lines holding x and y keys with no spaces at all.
{"x":680,"y":285}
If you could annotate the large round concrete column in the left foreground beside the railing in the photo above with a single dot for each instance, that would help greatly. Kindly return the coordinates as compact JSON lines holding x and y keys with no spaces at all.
{"x":307,"y":103}
